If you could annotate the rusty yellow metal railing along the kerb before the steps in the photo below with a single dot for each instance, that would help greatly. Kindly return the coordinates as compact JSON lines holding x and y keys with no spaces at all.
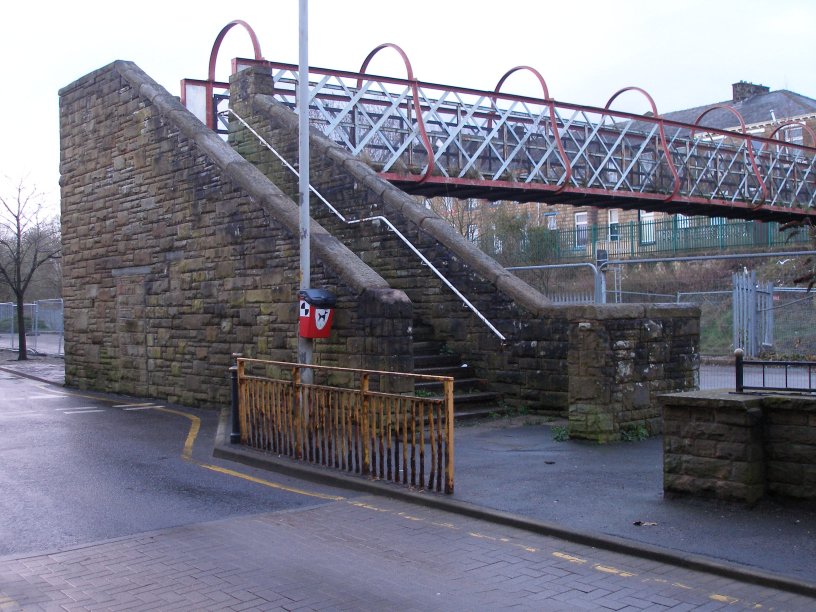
{"x":364,"y":426}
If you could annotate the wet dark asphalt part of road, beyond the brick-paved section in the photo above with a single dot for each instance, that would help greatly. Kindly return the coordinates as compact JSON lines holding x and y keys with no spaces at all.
{"x":77,"y":467}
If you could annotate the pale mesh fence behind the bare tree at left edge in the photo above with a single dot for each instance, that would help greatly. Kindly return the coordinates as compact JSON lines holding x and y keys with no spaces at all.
{"x":43,"y":327}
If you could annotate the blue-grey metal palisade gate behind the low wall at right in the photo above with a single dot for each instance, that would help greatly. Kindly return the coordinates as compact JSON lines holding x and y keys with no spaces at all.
{"x":753,"y":313}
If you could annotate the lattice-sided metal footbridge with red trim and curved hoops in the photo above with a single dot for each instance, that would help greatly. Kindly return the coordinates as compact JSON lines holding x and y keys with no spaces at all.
{"x":431,"y":139}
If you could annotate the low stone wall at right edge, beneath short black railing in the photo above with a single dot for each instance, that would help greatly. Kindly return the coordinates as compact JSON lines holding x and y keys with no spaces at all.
{"x":739,"y":447}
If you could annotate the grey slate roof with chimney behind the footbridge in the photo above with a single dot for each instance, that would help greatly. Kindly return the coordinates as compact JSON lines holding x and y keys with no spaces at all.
{"x":755,"y":103}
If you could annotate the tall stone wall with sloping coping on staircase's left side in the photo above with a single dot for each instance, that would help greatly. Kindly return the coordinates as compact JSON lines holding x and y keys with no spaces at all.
{"x":178,"y":253}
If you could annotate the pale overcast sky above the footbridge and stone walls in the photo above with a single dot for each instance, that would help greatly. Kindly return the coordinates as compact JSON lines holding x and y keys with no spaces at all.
{"x":684,"y":53}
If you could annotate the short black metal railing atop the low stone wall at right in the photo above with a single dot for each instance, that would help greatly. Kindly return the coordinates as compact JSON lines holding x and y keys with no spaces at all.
{"x":790,"y":376}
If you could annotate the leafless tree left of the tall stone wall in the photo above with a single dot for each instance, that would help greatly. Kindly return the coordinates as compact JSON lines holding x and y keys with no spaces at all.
{"x":28,"y":239}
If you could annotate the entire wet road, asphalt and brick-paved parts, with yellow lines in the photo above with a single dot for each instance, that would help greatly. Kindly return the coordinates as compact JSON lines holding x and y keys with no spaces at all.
{"x":111,"y":503}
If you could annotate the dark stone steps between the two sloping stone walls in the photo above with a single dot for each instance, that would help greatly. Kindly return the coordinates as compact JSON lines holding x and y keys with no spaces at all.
{"x":471,"y":397}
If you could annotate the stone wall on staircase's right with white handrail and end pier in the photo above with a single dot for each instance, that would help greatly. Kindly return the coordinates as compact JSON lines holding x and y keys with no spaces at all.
{"x":604,"y":379}
